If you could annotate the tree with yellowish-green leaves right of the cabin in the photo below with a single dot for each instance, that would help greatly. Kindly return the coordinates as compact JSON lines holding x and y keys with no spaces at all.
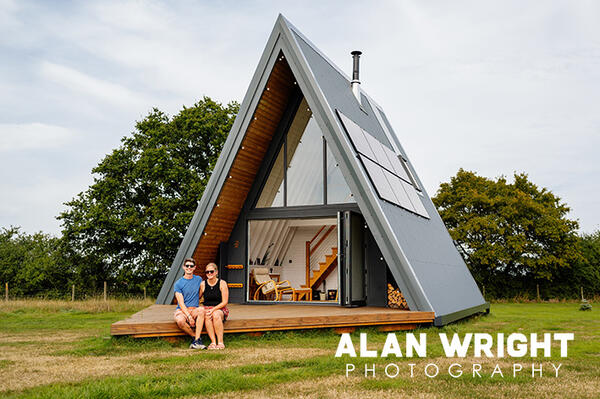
{"x":512,"y":233}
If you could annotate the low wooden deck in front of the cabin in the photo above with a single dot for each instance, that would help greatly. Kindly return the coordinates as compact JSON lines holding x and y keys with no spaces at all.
{"x":157,"y":320}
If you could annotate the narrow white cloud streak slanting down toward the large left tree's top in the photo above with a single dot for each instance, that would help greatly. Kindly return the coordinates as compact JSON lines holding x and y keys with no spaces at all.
{"x":75,"y":80}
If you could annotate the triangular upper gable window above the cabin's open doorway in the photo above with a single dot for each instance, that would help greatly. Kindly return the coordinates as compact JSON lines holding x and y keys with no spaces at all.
{"x":299,"y":176}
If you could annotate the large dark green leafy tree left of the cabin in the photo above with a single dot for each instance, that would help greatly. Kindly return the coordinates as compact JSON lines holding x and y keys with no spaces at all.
{"x":126,"y":227}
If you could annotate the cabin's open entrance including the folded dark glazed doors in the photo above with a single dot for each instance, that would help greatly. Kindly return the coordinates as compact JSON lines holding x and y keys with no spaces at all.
{"x":316,"y":260}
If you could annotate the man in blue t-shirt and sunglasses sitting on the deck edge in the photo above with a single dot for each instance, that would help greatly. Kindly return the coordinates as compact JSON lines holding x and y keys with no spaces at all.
{"x":188,"y":313}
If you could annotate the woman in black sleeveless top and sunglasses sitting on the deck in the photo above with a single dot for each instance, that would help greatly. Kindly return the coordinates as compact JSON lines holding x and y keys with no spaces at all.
{"x":216,"y":296}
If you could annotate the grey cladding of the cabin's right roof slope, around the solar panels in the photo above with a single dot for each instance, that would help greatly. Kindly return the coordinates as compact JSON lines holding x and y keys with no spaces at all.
{"x":427,"y":245}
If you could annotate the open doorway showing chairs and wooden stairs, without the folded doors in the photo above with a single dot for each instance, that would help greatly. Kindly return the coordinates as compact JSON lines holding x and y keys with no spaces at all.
{"x":293,"y":260}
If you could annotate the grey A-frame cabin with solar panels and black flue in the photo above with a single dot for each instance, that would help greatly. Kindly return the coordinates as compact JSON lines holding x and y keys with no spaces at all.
{"x":313,"y":187}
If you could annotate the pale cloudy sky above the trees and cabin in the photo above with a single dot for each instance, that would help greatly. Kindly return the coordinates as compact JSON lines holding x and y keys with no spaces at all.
{"x":492,"y":87}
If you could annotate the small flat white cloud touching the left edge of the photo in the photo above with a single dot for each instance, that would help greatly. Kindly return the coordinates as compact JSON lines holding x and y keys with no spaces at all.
{"x":28,"y":136}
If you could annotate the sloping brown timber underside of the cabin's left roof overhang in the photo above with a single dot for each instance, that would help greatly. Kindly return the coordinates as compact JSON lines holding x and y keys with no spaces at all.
{"x":267,"y":116}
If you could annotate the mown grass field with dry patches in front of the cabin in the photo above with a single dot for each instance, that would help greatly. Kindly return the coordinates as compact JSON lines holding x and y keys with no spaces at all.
{"x":55,"y":349}
